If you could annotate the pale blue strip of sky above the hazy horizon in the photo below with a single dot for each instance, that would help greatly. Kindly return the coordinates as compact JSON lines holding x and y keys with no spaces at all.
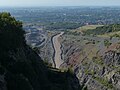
{"x":36,"y":3}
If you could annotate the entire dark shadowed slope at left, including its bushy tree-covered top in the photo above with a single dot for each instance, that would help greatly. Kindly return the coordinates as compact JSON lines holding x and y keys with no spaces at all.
{"x":21,"y":68}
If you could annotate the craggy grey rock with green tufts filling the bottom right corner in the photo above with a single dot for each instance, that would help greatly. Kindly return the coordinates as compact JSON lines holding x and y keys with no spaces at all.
{"x":101,"y":73}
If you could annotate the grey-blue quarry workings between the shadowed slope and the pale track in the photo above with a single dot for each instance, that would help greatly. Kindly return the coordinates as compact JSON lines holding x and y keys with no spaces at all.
{"x":40,"y":41}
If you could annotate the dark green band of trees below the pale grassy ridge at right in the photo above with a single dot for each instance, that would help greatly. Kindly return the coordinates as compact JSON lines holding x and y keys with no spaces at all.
{"x":103,"y":29}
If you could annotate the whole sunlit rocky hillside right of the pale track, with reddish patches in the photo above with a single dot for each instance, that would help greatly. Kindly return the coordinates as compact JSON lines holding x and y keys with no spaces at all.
{"x":94,"y":70}
